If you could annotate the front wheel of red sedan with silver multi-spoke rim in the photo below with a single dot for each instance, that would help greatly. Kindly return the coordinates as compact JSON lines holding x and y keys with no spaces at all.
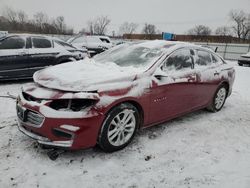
{"x":119,"y":127}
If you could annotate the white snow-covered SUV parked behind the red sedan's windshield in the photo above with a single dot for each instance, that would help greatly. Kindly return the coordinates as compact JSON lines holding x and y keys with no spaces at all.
{"x":94,"y":43}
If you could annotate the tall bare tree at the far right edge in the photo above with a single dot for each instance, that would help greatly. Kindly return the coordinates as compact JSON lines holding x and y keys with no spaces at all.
{"x":241,"y":22}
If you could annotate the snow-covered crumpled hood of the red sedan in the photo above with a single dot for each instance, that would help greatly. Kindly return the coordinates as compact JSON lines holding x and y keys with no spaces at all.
{"x":85,"y":75}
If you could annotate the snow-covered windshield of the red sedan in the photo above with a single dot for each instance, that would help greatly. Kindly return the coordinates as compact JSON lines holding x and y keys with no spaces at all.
{"x":133,"y":54}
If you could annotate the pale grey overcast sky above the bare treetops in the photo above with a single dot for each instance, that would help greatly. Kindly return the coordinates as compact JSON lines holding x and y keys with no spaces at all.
{"x":175,"y":16}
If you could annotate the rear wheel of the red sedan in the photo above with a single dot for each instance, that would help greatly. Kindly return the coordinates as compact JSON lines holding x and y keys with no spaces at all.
{"x":218,"y":99}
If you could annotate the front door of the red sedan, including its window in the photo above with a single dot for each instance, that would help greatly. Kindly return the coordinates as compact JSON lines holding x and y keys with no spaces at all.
{"x":175,"y":93}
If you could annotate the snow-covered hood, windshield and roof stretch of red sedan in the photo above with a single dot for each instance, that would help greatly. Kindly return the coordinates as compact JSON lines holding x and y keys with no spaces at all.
{"x":115,"y":68}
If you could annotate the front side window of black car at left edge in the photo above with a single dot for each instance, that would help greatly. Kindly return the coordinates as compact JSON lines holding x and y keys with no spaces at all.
{"x":12,"y":43}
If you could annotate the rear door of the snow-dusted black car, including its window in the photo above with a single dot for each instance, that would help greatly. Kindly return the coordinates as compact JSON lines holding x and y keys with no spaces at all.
{"x":42,"y":53}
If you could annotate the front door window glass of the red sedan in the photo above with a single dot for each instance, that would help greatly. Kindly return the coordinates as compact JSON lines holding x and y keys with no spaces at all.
{"x":179,"y":60}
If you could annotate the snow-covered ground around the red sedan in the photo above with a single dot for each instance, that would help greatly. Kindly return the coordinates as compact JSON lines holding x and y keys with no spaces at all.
{"x":200,"y":149}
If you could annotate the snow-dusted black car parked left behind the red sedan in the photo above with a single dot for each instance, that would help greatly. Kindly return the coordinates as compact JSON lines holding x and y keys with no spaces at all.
{"x":22,"y":55}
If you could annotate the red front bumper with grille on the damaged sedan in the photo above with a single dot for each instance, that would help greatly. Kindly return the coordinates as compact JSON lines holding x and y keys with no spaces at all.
{"x":59,"y":129}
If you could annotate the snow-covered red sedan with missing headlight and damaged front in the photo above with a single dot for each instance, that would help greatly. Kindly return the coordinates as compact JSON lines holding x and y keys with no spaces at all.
{"x":105,"y":100}
